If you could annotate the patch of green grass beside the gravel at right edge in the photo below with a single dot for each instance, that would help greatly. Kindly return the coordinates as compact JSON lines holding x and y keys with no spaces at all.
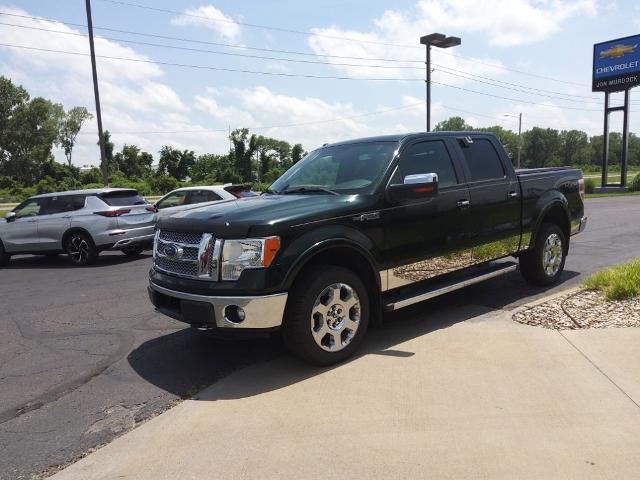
{"x":617,"y":283}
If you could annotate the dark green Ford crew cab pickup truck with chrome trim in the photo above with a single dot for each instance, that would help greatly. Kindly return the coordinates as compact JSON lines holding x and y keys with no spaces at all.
{"x":359,"y":228}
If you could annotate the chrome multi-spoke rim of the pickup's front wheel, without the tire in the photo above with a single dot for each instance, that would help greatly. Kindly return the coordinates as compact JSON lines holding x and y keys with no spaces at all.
{"x":335,"y":317}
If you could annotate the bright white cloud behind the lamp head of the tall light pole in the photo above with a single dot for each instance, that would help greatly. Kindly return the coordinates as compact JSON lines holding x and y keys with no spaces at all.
{"x":504,"y":22}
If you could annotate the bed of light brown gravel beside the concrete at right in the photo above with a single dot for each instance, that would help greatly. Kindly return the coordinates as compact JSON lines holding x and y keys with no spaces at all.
{"x":581,"y":309}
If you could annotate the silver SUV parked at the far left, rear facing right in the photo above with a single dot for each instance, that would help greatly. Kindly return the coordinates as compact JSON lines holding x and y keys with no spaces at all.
{"x":81,"y":223}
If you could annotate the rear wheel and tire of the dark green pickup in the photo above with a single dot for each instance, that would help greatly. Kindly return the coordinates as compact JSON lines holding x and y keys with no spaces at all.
{"x":541,"y":267}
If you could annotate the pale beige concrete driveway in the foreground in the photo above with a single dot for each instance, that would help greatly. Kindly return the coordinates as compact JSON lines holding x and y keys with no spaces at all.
{"x":462,"y":392}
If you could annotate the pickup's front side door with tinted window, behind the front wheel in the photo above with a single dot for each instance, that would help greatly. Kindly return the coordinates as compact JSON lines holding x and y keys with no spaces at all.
{"x":424,"y":237}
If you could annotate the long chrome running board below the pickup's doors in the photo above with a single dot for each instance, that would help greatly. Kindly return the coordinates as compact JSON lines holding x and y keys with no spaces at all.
{"x":399,"y":300}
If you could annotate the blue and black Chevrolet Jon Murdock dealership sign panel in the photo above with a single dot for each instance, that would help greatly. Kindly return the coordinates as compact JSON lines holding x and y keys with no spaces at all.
{"x":616,"y":64}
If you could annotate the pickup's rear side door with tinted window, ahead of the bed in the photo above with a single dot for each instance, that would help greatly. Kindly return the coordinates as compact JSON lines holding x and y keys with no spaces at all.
{"x":494,"y":199}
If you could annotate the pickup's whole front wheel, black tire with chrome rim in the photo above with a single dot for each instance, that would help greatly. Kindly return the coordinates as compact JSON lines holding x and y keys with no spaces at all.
{"x":345,"y":320}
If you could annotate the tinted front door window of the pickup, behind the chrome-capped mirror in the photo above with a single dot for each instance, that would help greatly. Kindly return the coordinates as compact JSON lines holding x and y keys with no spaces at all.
{"x":427,"y":157}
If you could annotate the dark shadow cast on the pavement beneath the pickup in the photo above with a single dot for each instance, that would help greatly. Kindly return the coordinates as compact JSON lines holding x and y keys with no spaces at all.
{"x":185,"y":362}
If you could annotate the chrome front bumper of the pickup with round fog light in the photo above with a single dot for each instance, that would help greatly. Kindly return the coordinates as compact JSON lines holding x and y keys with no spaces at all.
{"x":206,"y":312}
